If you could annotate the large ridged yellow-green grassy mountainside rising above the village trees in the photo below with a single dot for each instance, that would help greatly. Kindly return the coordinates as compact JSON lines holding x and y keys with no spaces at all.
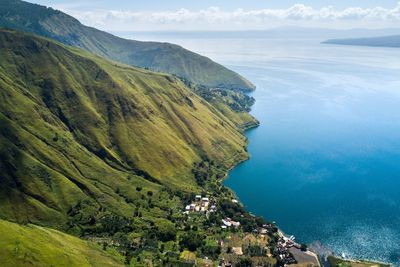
{"x":74,"y":127}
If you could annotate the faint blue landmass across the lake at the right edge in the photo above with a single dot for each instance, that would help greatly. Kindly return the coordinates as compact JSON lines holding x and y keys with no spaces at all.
{"x":384,"y":41}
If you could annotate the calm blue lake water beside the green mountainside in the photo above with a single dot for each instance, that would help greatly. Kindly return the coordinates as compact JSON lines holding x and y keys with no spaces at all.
{"x":325,"y":162}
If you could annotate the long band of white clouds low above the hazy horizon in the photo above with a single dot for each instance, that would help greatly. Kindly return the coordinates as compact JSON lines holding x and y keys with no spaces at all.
{"x":214,"y":18}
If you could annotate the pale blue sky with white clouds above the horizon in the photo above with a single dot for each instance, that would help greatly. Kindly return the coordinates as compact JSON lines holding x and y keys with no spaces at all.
{"x":159,"y":15}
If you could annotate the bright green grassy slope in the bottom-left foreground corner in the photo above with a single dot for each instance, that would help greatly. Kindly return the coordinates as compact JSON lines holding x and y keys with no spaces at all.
{"x":31,"y":245}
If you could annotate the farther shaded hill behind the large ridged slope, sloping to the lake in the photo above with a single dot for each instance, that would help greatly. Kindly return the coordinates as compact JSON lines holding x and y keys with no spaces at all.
{"x":164,"y":57}
